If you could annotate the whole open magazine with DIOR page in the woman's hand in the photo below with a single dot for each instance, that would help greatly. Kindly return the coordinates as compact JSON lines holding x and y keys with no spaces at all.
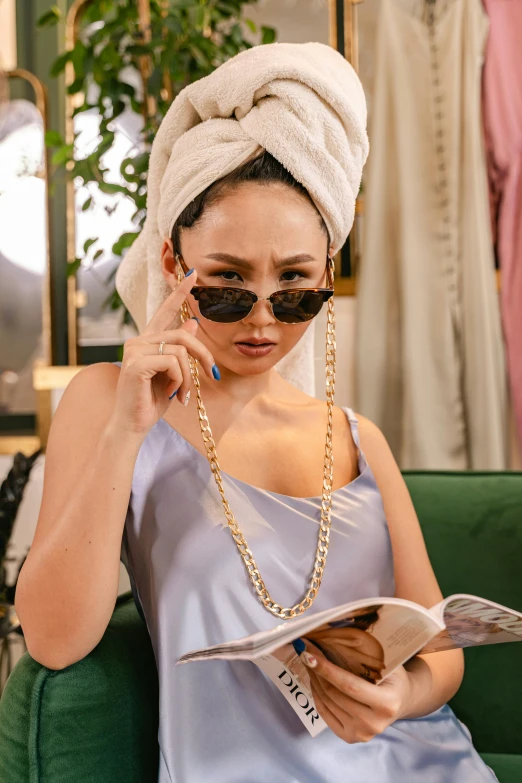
{"x":385,"y":633}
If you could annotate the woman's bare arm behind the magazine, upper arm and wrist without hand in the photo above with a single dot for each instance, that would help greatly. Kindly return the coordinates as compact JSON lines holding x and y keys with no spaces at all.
{"x":434,"y":678}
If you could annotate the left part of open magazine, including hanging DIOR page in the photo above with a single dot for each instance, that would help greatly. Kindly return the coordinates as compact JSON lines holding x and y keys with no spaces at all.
{"x":370,"y":638}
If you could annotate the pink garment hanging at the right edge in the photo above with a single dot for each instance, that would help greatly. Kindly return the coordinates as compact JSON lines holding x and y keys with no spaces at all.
{"x":502,"y":111}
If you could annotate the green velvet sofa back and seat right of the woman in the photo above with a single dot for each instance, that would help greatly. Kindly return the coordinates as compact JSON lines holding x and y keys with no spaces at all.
{"x":472,"y":525}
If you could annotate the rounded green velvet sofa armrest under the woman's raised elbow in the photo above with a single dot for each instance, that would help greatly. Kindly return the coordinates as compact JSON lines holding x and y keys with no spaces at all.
{"x":93,"y":722}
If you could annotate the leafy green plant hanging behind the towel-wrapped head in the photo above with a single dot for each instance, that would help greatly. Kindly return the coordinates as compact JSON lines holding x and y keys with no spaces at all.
{"x":137,"y":56}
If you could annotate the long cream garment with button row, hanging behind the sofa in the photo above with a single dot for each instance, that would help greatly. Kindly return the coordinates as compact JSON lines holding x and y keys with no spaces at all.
{"x":430,"y":369}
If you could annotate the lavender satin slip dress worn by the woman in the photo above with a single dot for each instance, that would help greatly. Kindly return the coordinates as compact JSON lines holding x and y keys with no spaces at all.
{"x":223,"y":721}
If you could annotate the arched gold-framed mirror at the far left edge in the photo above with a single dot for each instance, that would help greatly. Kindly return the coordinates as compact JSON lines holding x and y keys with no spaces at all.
{"x":26,"y":269}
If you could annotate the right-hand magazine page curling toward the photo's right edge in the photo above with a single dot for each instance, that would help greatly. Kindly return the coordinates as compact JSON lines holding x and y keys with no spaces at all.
{"x":472,"y":621}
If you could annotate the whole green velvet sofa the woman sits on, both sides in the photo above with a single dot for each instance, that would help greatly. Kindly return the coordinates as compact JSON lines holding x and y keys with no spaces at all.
{"x":97,"y":721}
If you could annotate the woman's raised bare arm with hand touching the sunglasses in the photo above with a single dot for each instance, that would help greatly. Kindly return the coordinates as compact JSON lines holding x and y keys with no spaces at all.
{"x":69,"y":583}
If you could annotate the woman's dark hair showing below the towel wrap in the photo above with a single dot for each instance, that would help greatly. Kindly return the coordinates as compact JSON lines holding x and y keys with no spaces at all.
{"x":265,"y":168}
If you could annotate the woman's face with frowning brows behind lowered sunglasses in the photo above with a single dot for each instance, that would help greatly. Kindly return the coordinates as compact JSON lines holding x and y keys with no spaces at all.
{"x":247,"y":240}
